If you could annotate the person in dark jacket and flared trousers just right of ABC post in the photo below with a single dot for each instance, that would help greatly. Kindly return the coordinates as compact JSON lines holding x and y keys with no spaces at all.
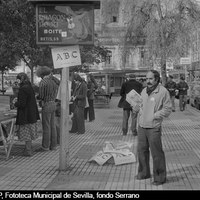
{"x":79,"y":98}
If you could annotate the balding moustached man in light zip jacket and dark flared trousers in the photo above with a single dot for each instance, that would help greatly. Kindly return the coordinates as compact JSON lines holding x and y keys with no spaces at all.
{"x":156,"y":105}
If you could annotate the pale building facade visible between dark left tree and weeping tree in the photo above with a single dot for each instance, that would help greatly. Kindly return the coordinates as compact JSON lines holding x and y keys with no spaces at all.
{"x":111,"y":22}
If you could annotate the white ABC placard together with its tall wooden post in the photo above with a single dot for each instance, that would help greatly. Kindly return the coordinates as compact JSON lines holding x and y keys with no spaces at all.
{"x":64,"y":57}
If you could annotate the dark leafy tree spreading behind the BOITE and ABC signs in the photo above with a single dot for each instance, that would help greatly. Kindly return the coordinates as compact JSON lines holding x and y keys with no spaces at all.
{"x":18,"y":24}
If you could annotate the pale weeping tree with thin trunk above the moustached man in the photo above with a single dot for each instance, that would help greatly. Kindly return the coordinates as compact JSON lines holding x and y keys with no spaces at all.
{"x":164,"y":26}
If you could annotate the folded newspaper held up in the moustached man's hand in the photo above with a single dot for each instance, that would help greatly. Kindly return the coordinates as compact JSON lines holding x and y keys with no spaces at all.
{"x":134,"y":99}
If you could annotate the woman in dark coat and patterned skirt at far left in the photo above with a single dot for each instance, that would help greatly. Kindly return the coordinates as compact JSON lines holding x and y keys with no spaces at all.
{"x":27,"y":113}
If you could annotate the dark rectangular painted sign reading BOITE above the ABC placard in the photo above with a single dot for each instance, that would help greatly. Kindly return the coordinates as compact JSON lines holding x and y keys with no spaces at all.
{"x":65,"y":24}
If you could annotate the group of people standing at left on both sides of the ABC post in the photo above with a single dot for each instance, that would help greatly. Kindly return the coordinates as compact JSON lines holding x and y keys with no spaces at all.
{"x":28,"y":102}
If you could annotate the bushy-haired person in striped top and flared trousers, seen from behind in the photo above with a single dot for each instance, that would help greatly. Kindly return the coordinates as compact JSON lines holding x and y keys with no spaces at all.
{"x":48,"y":89}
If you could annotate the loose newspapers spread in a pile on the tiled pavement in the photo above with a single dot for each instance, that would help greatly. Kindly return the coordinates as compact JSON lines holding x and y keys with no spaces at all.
{"x":119,"y":151}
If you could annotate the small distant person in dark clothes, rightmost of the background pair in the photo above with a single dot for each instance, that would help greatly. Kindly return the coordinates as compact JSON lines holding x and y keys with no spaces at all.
{"x":182,"y":88}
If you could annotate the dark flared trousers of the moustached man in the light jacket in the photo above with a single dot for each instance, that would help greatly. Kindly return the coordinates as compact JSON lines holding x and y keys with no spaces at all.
{"x":150,"y":138}
